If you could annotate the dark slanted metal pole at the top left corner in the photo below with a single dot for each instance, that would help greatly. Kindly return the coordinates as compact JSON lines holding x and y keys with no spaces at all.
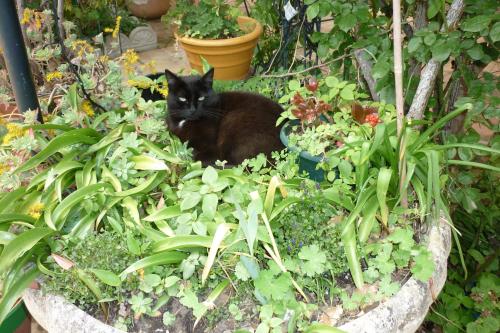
{"x":16,"y":58}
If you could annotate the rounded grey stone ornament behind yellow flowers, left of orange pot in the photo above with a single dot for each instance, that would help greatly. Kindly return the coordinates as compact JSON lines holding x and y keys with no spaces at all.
{"x":140,"y":39}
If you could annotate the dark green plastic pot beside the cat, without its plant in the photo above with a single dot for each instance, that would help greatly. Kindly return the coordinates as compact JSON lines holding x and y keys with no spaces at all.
{"x":307,"y":162}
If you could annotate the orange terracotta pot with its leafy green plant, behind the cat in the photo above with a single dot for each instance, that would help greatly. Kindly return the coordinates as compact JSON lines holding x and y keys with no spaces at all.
{"x":214,"y":30}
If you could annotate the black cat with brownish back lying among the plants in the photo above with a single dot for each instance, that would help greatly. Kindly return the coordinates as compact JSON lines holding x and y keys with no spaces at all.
{"x":230,"y":126}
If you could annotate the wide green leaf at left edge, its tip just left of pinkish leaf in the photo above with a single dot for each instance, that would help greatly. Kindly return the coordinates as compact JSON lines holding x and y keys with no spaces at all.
{"x":20,"y":245}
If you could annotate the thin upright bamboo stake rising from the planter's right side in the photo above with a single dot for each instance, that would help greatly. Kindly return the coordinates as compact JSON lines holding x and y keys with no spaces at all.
{"x":398,"y":77}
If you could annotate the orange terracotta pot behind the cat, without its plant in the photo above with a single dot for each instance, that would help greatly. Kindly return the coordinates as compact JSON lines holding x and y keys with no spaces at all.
{"x":230,"y":57}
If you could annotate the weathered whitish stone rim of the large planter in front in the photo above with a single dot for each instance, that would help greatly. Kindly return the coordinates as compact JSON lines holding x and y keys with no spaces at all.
{"x":404,"y":312}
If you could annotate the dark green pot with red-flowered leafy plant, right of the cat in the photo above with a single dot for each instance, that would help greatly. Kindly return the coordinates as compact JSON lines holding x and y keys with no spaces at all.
{"x":324,"y":117}
